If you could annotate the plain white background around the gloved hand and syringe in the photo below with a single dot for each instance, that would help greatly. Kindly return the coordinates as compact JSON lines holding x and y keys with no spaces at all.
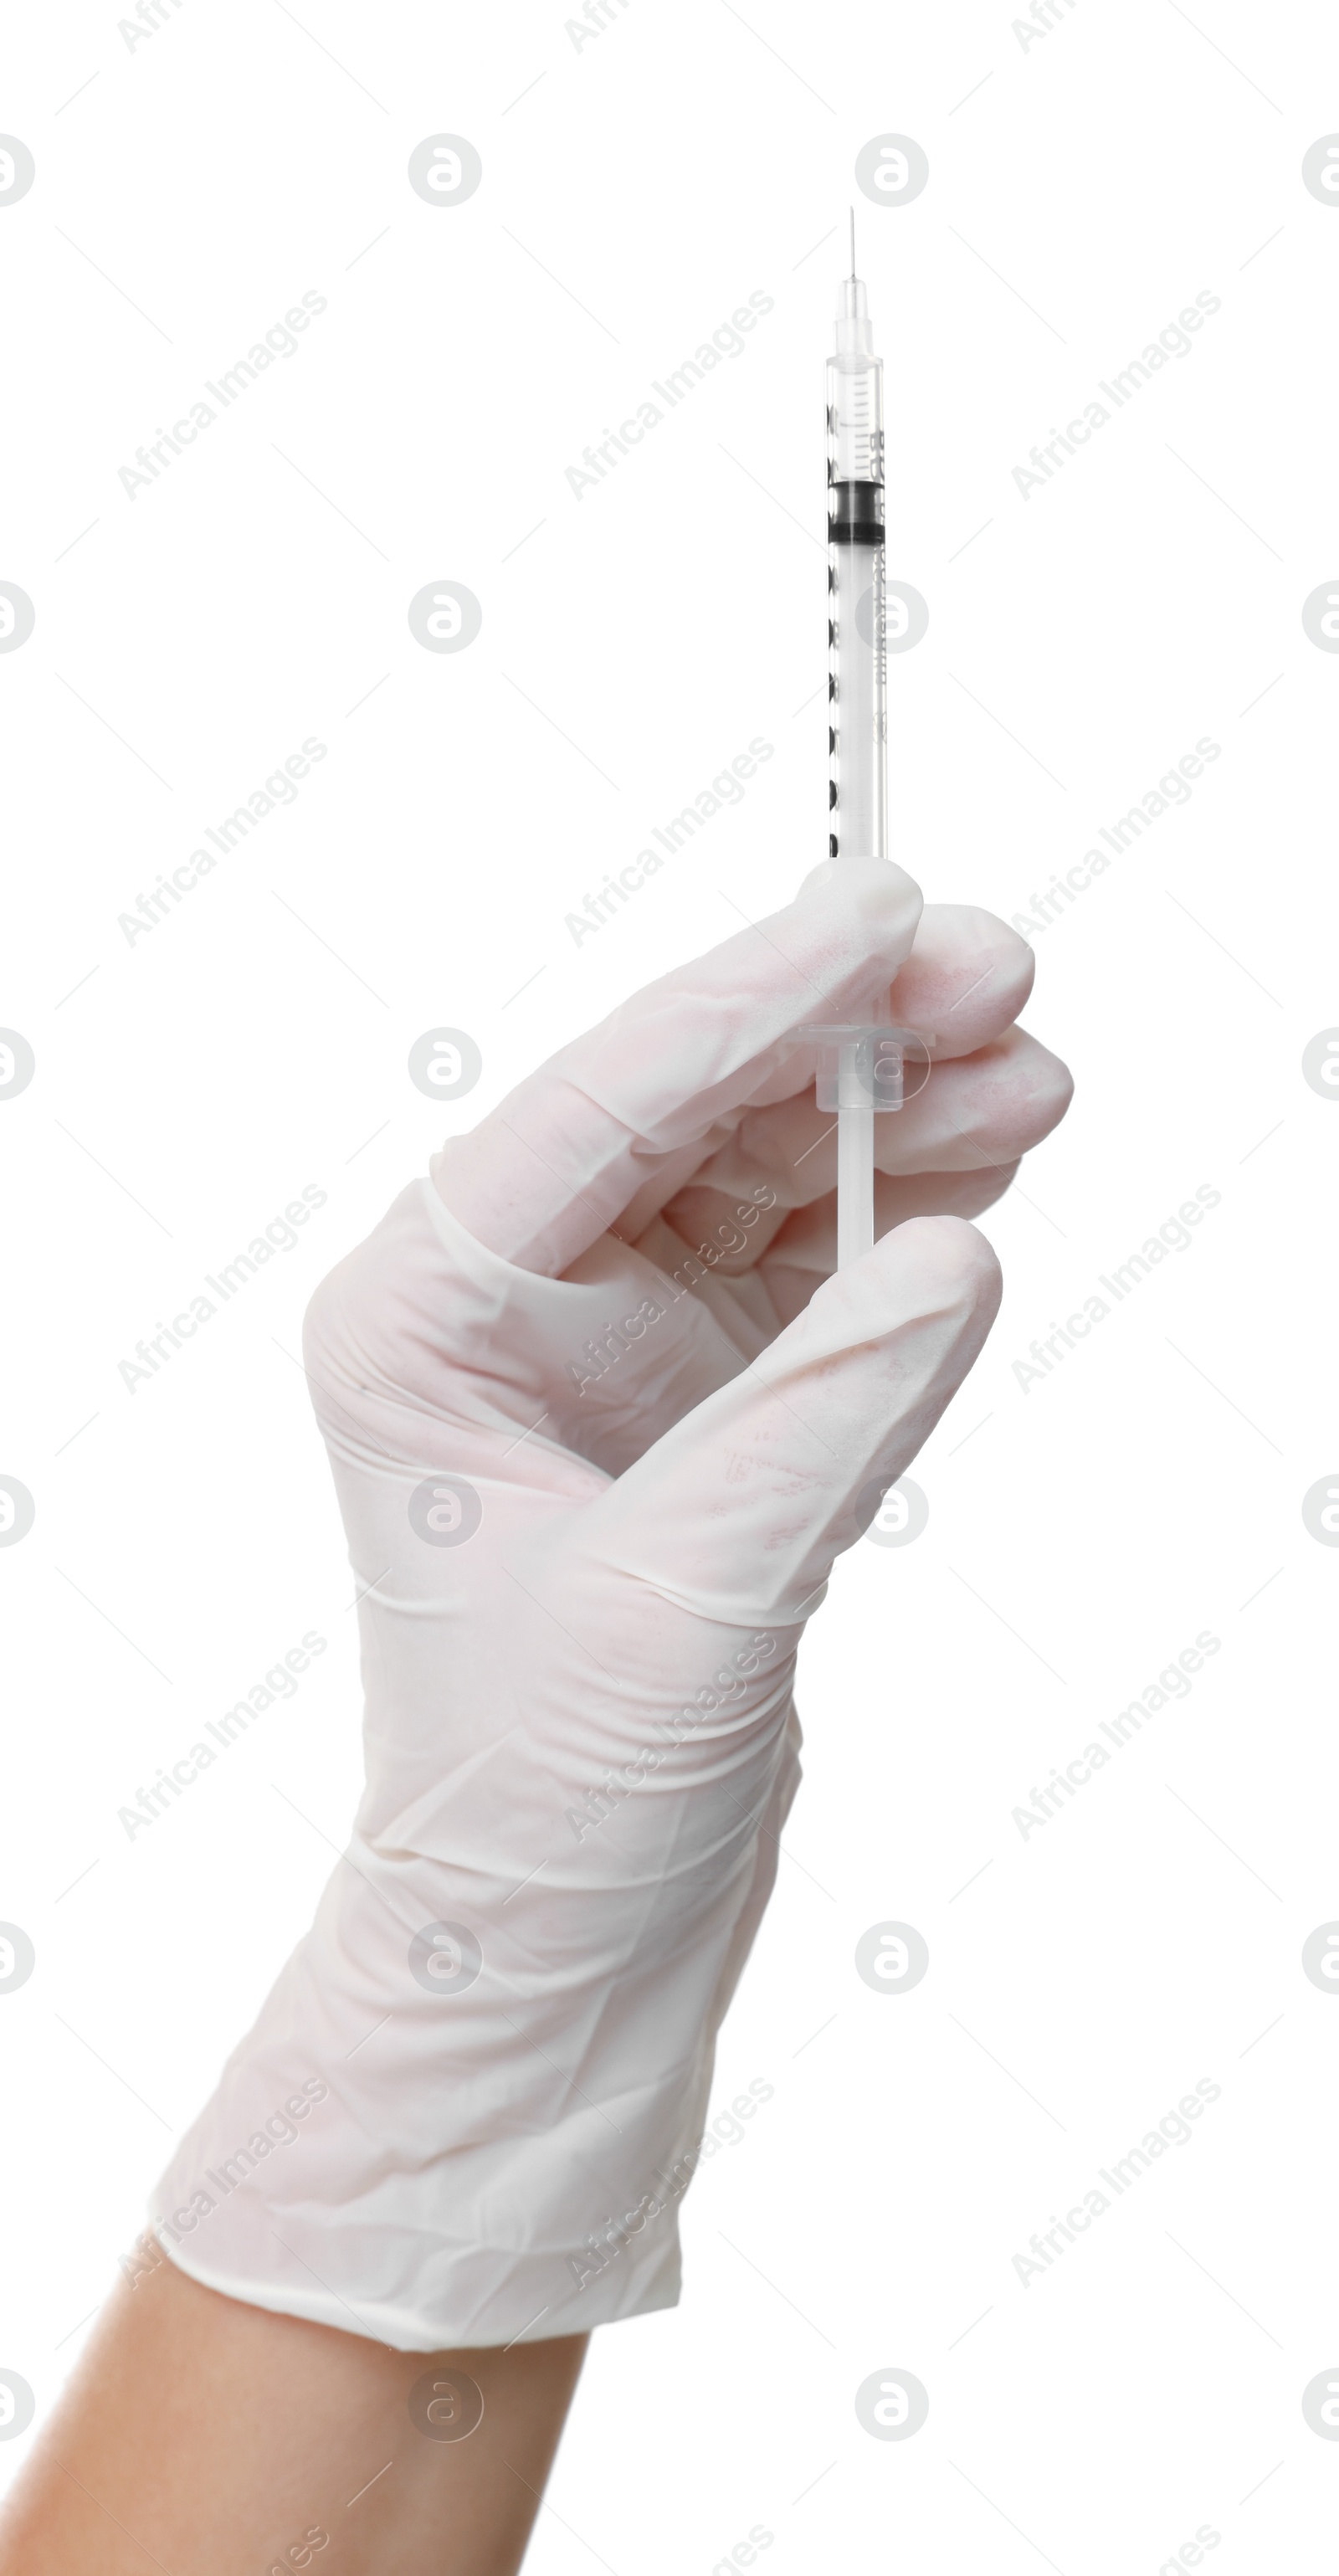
{"x":1083,"y":189}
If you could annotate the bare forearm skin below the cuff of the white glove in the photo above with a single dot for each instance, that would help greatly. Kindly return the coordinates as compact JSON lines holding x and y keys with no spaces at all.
{"x":210,"y":2438}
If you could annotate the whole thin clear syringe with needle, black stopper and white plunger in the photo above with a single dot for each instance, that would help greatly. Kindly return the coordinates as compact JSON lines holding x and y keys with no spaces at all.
{"x":861,"y":1063}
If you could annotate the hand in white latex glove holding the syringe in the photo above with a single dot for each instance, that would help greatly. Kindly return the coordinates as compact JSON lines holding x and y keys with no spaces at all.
{"x":599,"y":1421}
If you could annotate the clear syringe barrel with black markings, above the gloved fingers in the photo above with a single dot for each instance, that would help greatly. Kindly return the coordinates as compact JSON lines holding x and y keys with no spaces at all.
{"x":856,"y":607}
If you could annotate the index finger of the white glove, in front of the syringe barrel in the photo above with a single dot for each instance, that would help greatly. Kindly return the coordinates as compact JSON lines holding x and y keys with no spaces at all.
{"x":550,"y":1171}
